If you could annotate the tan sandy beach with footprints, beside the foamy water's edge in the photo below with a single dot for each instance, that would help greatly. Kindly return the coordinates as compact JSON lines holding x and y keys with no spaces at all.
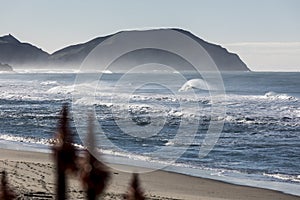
{"x":31,"y":175}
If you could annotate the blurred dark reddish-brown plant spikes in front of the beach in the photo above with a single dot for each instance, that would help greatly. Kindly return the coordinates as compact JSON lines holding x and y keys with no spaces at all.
{"x":88,"y":168}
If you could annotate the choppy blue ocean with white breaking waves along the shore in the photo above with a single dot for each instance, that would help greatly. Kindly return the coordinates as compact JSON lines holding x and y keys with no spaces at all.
{"x":162,"y":124}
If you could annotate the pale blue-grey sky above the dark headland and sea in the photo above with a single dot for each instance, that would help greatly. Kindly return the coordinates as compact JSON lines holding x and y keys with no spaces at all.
{"x":264,"y":33}
